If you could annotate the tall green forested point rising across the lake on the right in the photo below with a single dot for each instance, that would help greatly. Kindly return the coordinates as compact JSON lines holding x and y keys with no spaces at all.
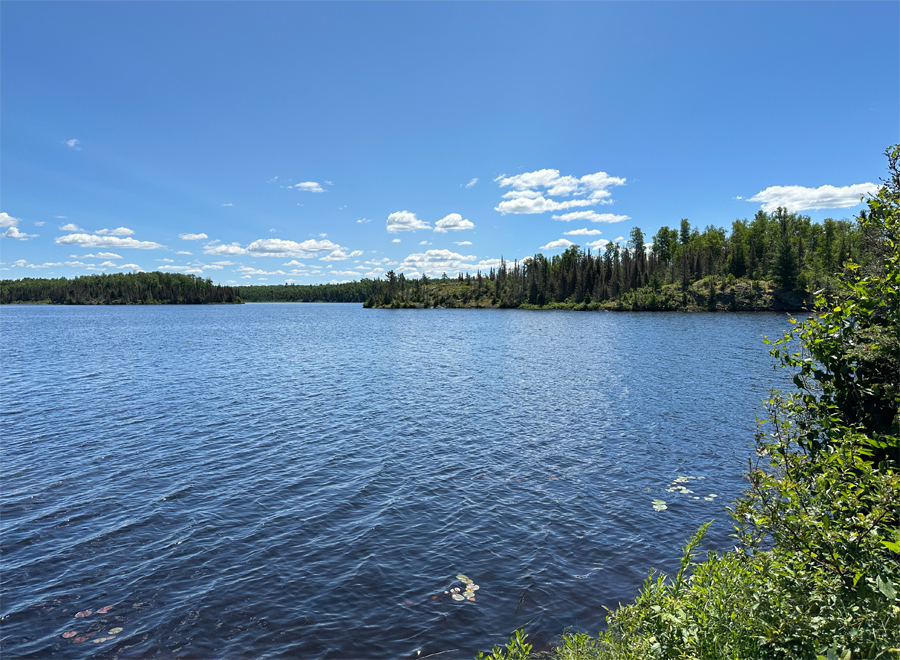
{"x":786,"y":249}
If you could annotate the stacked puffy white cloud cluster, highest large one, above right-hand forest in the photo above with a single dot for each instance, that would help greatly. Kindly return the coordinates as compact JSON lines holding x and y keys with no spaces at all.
{"x":528,"y":190}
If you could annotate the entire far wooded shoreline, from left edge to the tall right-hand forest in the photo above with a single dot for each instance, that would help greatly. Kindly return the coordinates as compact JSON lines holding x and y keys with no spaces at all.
{"x":771,"y":263}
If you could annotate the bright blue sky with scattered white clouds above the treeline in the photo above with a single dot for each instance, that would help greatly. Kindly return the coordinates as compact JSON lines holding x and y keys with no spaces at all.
{"x":273,"y":142}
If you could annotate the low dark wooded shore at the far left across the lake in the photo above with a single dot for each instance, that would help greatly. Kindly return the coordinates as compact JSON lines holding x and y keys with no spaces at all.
{"x":118,"y":289}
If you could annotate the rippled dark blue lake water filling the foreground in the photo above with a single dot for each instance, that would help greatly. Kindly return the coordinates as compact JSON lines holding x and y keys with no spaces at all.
{"x":306,"y":481}
